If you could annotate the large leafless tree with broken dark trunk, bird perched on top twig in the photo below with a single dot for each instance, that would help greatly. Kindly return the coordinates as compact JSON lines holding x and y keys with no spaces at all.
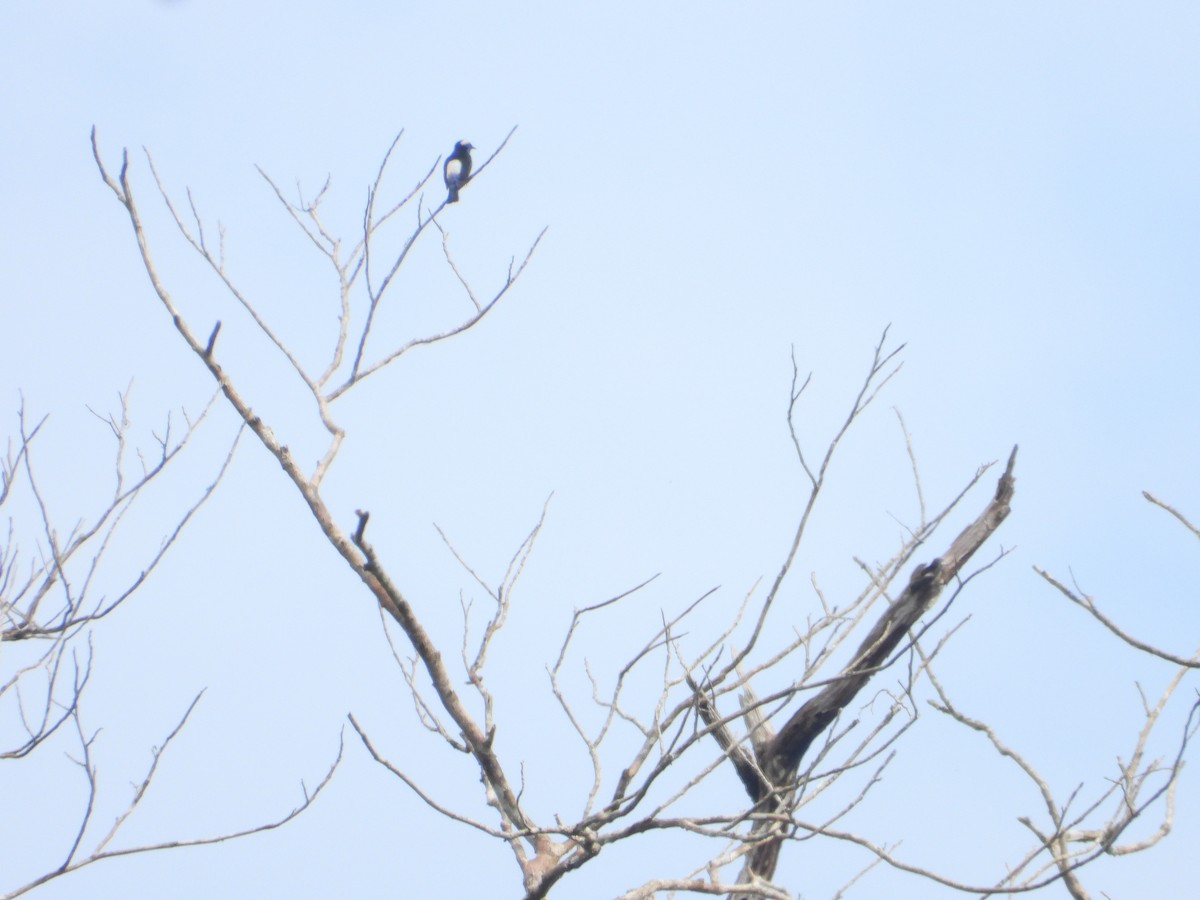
{"x":717,"y":707}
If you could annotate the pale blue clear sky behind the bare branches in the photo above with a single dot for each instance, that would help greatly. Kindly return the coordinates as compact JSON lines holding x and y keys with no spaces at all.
{"x":1013,"y":188}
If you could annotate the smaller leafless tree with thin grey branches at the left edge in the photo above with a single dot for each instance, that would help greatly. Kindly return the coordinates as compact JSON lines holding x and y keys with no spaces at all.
{"x":52,"y":598}
